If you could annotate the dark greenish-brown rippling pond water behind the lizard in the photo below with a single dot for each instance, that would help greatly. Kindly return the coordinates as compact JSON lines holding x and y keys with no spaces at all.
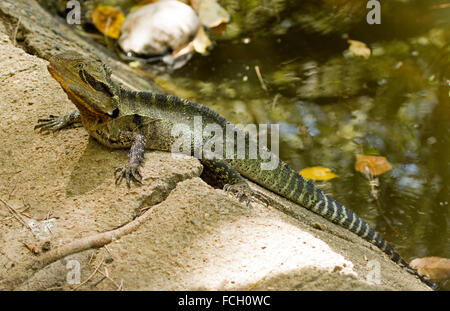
{"x":395,"y":104}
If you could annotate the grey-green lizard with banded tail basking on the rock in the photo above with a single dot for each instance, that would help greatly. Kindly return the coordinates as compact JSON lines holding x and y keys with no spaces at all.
{"x":118,"y":117}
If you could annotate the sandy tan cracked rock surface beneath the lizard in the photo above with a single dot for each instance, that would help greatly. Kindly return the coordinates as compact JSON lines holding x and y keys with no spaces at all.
{"x":57,"y":190}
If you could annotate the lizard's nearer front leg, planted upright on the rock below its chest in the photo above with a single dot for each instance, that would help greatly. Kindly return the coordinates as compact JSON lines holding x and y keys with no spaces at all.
{"x":135,"y":159}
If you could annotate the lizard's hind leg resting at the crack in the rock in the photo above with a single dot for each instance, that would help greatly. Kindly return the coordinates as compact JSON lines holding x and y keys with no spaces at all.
{"x":222,"y":174}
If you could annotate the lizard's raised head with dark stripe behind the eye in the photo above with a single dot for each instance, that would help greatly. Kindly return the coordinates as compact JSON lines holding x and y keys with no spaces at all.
{"x":87,"y":82}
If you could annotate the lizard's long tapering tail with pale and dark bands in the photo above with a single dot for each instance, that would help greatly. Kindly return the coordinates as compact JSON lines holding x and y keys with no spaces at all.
{"x":291,"y":185}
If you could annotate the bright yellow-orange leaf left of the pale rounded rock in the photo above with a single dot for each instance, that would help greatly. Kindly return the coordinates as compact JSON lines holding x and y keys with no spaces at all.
{"x":108,"y":20}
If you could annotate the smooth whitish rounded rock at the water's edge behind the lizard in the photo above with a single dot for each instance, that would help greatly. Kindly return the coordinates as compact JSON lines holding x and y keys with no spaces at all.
{"x":158,"y":27}
